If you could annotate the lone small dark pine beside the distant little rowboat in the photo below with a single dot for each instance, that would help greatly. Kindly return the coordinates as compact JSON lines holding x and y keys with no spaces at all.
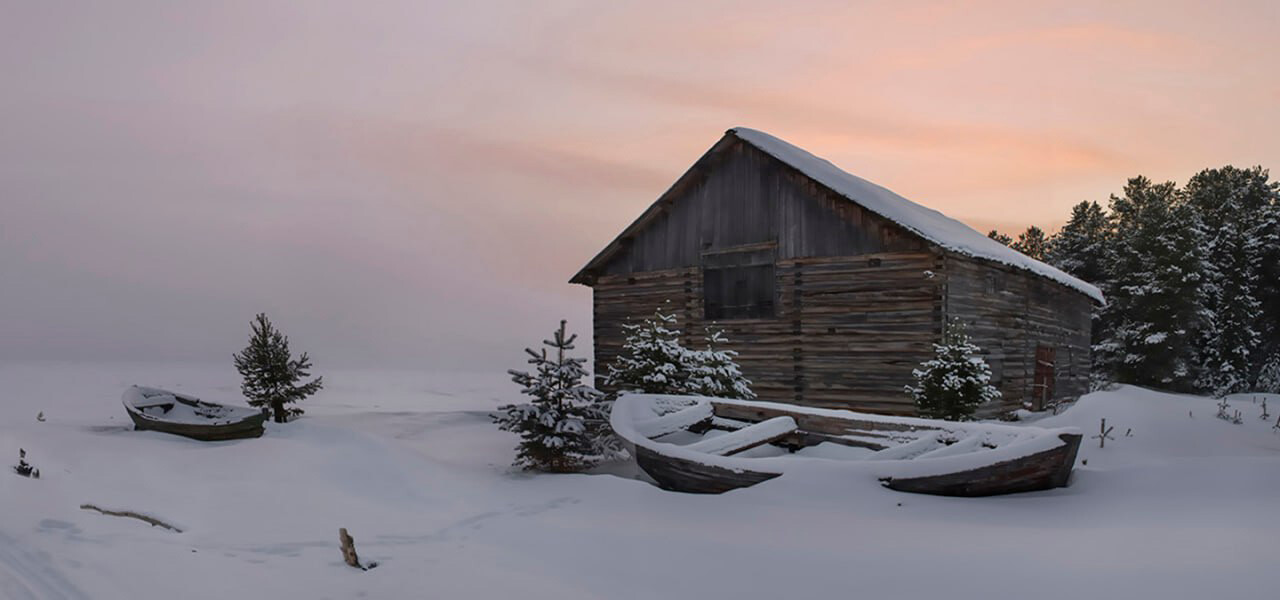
{"x":272,"y":374}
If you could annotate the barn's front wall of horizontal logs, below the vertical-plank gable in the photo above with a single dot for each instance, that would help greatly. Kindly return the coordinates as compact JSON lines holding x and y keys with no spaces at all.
{"x":848,"y":333}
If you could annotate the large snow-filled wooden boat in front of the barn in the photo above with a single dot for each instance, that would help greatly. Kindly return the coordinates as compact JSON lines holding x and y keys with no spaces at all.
{"x":711,"y":446}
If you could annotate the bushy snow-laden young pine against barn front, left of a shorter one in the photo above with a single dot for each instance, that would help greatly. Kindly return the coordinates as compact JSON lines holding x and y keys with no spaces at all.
{"x":652,"y":361}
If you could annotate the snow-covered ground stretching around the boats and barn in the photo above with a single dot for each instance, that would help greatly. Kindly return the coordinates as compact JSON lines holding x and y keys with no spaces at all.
{"x":1188,"y":506}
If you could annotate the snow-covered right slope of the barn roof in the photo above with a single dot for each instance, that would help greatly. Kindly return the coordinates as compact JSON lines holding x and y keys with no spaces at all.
{"x":921,"y":221}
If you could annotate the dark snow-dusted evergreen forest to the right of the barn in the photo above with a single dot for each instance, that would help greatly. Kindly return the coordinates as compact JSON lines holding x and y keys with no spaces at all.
{"x":1192,"y":280}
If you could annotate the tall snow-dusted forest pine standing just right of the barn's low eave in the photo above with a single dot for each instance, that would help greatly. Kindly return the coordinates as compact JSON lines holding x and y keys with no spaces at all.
{"x":1155,"y":297}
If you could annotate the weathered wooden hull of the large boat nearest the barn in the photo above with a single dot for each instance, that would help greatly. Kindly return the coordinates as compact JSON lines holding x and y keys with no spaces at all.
{"x":1045,"y":464}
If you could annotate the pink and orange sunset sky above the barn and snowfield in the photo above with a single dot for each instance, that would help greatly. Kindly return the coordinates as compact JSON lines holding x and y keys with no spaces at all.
{"x":412,"y":185}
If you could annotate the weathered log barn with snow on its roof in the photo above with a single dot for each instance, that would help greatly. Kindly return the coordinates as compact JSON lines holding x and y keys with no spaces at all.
{"x":831,"y":288}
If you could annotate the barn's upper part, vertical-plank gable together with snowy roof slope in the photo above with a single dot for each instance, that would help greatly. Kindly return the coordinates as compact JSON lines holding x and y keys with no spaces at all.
{"x":753,"y":173}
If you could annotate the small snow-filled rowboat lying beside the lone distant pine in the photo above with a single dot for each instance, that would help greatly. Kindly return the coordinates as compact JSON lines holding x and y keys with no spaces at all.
{"x":159,"y":410}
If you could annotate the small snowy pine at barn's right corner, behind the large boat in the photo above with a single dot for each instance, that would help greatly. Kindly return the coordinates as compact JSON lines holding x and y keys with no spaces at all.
{"x":956,"y":382}
